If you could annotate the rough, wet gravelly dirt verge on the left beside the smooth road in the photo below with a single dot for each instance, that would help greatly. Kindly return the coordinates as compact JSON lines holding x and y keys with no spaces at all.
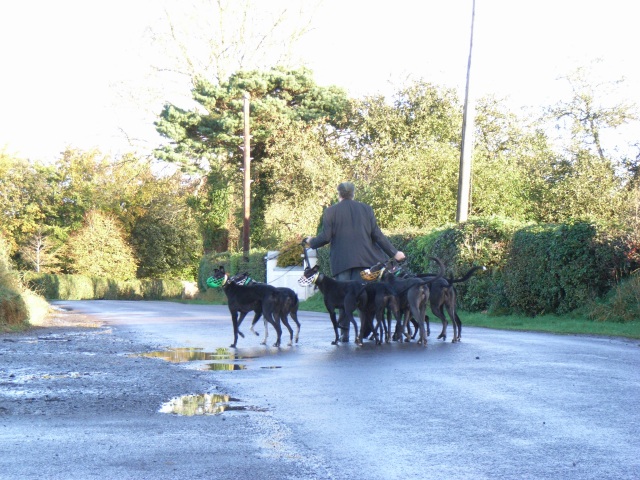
{"x":78,"y":400}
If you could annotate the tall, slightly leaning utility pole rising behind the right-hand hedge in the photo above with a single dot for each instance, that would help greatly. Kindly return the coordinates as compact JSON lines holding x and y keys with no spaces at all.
{"x":466,"y":149}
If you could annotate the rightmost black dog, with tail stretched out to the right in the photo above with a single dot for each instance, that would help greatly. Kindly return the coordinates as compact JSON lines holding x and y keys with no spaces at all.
{"x":443,"y":298}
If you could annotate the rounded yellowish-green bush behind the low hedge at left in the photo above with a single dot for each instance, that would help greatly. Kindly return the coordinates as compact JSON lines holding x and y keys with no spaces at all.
{"x":102,"y":234}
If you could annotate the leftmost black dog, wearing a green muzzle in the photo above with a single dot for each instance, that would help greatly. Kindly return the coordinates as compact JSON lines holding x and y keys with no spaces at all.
{"x":260,"y":298}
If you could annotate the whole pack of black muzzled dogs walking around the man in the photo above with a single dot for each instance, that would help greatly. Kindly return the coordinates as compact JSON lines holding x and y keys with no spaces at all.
{"x":386,"y":292}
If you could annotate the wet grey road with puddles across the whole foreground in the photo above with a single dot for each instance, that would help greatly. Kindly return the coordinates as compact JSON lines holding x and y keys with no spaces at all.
{"x":85,"y":403}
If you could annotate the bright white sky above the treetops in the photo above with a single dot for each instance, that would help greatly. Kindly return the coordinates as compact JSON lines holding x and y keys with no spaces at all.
{"x":76,"y":73}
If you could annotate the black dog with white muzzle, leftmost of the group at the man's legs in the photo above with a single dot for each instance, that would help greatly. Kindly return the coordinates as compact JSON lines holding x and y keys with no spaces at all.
{"x":342,"y":296}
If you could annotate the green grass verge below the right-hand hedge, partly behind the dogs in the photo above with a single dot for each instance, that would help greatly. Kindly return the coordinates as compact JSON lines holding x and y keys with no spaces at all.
{"x":568,"y":324}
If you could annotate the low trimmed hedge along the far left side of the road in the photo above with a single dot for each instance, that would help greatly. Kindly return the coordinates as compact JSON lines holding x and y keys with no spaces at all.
{"x":80,"y":287}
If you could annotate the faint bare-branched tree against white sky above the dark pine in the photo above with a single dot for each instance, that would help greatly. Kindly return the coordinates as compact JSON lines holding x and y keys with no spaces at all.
{"x":213,"y":38}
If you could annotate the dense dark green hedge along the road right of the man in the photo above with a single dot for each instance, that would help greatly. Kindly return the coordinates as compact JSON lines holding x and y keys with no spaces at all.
{"x":532,"y":269}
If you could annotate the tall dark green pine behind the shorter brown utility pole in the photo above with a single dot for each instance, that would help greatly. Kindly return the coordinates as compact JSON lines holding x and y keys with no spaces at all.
{"x":206,"y":140}
